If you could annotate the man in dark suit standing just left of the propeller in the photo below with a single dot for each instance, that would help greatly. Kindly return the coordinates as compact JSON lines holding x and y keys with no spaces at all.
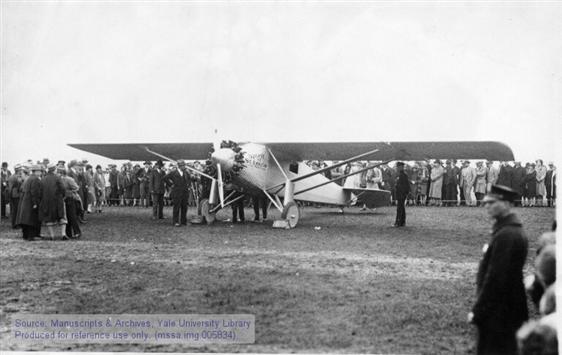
{"x":180,"y":181}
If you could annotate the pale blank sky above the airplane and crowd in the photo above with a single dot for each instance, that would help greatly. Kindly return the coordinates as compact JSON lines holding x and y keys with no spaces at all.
{"x":109,"y":72}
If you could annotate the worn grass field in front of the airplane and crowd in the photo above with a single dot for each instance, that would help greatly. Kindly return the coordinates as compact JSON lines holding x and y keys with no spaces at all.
{"x":354,"y":285}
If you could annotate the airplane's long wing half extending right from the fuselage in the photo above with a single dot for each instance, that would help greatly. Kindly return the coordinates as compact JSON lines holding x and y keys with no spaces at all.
{"x":393,"y":150}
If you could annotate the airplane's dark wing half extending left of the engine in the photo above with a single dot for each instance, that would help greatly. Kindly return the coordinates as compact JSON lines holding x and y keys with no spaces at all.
{"x":138,"y":152}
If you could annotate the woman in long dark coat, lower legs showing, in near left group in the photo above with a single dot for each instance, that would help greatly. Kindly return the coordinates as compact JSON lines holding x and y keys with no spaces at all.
{"x":51,"y":210}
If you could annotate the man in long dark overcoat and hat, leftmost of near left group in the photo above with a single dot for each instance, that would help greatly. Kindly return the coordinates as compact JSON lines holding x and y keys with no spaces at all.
{"x":28,"y":213}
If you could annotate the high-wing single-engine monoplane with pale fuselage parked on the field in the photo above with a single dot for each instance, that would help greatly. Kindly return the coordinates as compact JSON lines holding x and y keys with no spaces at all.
{"x":278,"y":169}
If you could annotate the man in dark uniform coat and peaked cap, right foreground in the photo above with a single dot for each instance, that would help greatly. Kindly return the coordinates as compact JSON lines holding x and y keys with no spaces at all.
{"x":501,"y":304}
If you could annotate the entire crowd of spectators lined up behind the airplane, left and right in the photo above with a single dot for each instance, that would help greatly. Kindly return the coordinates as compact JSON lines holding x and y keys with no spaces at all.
{"x":152,"y":185}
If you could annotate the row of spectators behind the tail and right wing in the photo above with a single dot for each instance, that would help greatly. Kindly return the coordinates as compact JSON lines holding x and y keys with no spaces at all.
{"x":449,"y":183}
